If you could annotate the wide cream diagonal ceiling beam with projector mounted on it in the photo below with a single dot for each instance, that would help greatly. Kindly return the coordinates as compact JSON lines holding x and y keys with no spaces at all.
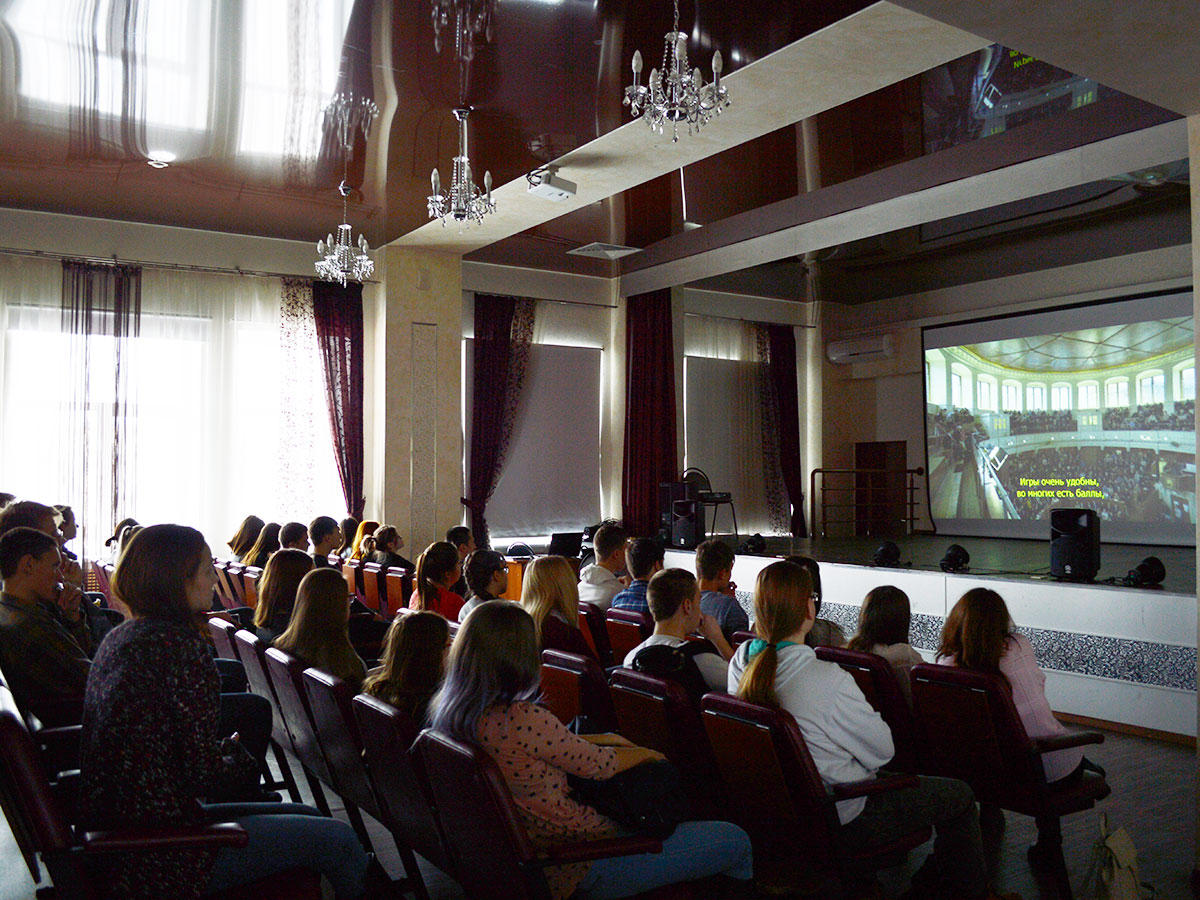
{"x":879,"y":46}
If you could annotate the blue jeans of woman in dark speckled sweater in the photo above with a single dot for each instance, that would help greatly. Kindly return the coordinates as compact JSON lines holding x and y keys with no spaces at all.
{"x":287,"y":836}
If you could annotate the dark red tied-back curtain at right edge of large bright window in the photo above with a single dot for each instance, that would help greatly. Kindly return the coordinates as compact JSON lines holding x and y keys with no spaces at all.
{"x":339,"y":316}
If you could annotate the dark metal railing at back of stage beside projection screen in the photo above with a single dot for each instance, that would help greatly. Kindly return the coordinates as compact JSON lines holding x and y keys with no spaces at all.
{"x":869,"y":502}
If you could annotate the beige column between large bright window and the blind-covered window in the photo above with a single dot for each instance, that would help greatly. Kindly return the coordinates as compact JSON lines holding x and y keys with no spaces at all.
{"x":415,"y":439}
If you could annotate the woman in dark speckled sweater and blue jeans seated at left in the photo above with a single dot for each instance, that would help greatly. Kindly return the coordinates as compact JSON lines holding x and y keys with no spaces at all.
{"x":151,"y":749}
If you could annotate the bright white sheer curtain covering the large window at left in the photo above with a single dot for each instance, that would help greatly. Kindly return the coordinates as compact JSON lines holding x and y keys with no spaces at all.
{"x":207,"y":388}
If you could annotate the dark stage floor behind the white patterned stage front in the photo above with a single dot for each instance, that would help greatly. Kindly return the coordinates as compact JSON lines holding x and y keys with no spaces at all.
{"x":1003,"y":557}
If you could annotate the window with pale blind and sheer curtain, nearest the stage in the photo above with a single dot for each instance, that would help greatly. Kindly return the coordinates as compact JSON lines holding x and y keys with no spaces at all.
{"x":723,"y":416}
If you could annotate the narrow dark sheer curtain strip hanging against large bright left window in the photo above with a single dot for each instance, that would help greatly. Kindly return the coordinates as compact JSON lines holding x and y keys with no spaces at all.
{"x":101,"y":313}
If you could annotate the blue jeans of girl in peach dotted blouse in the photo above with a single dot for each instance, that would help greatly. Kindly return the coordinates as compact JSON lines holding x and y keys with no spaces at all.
{"x":697,"y":850}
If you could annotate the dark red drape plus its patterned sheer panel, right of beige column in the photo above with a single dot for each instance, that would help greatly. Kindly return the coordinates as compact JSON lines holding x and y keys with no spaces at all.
{"x":503,"y":339}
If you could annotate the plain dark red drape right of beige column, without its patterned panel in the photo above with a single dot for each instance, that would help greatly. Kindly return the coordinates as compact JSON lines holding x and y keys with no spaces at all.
{"x":493,"y":359}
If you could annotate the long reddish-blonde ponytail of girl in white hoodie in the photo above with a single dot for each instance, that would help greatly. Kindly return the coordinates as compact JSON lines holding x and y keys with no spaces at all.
{"x":782,"y":608}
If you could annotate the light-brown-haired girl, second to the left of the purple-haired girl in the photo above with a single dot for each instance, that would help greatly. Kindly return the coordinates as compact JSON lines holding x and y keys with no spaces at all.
{"x":319,"y":633}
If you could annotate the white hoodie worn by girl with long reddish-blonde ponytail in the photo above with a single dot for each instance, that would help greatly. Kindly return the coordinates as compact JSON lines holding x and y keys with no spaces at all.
{"x":849,"y":741}
